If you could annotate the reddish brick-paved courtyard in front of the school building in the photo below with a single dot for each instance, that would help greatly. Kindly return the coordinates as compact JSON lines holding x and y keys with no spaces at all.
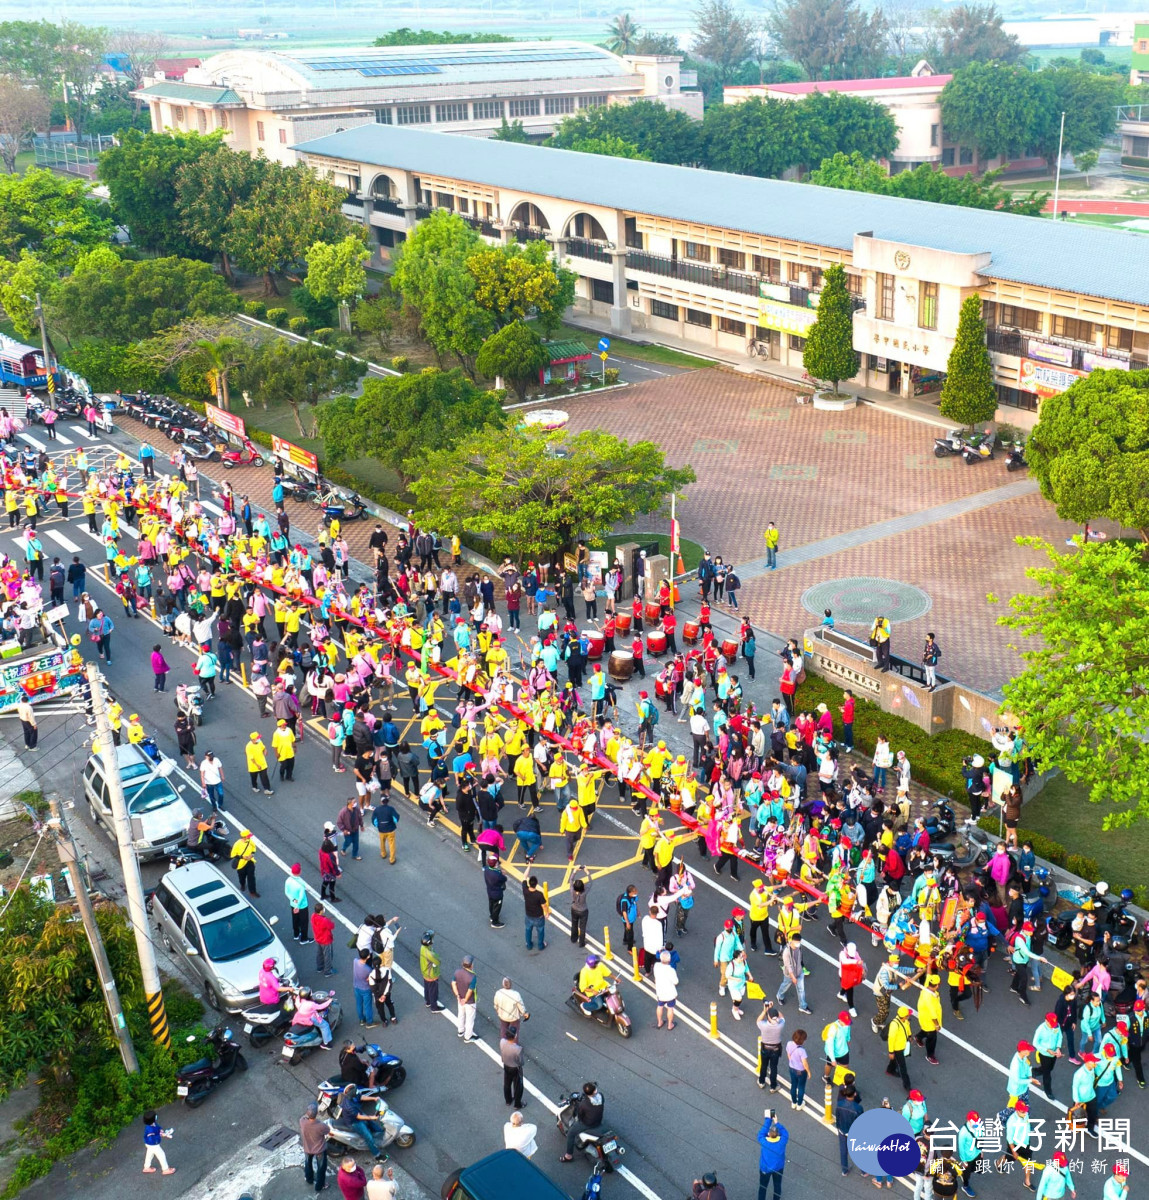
{"x":760,"y":457}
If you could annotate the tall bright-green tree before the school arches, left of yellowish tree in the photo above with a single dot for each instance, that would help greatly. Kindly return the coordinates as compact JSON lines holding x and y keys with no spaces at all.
{"x":432,"y":277}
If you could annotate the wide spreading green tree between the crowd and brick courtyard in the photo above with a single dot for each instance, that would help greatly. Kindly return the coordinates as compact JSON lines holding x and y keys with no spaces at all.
{"x":533,"y":493}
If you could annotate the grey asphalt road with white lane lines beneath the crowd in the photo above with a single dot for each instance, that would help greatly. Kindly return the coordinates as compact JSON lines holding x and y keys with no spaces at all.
{"x":683,"y":1102}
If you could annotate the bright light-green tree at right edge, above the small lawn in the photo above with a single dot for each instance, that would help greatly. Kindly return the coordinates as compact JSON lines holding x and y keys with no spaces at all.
{"x":1082,"y":699}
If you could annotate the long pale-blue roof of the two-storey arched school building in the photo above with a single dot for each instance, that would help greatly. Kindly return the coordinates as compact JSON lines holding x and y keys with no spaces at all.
{"x":1090,"y":260}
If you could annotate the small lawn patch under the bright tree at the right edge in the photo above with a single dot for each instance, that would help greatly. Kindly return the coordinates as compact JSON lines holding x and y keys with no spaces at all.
{"x":1062,"y":812}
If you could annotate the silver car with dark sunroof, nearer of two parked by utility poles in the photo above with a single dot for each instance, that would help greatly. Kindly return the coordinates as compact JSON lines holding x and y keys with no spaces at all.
{"x":200,"y":913}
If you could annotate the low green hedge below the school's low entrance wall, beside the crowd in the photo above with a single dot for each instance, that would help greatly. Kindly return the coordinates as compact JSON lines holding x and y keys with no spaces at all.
{"x":936,"y":760}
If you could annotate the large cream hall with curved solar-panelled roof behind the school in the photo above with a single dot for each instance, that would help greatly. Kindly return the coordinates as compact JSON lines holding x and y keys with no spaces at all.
{"x":273,"y":100}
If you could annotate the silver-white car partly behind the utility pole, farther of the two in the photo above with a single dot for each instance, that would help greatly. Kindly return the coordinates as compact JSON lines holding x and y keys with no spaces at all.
{"x":160,"y":817}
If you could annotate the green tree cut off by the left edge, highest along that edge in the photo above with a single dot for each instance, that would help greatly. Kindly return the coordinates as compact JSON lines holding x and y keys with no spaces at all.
{"x":52,"y":217}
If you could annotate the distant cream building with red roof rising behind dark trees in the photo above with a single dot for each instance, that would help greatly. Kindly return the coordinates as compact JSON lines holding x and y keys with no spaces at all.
{"x":915,"y":103}
